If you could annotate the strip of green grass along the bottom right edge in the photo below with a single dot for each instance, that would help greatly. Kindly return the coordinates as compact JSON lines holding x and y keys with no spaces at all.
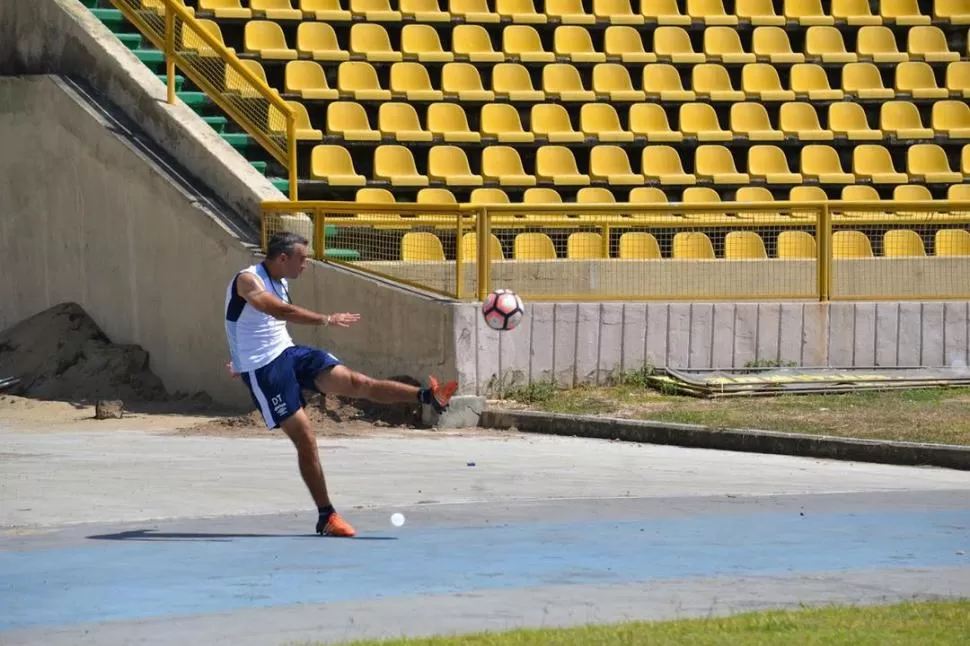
{"x":928,"y":623}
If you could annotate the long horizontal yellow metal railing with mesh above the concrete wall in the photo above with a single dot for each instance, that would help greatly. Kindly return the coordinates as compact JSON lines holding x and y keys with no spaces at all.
{"x":707,"y":251}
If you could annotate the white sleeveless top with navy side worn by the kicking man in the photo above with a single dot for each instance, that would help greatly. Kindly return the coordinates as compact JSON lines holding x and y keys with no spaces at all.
{"x":255,"y":338}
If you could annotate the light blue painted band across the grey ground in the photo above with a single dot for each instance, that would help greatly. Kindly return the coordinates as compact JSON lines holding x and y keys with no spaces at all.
{"x":140,"y":575}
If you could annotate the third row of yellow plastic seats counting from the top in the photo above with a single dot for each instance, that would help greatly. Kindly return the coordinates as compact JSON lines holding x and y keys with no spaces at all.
{"x":612,"y":82}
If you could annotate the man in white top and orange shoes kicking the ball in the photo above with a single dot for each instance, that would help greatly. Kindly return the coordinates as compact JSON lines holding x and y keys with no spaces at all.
{"x":276,"y":370}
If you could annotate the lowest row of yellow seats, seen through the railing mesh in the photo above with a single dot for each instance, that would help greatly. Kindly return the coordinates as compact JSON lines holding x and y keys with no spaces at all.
{"x":692,"y":245}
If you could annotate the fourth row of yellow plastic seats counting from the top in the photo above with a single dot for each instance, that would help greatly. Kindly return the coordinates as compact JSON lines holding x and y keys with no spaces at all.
{"x":601,"y":122}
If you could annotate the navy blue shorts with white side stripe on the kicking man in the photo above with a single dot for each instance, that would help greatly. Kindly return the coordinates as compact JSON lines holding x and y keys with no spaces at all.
{"x":277,"y":388}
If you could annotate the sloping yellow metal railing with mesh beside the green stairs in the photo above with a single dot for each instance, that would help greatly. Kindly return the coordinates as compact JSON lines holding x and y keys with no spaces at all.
{"x":226,"y":79}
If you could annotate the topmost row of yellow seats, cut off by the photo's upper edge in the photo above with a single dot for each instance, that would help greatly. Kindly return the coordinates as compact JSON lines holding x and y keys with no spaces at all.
{"x":665,"y":12}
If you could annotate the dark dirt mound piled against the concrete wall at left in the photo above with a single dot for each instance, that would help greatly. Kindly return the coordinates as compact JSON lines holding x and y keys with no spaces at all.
{"x":62,"y":354}
